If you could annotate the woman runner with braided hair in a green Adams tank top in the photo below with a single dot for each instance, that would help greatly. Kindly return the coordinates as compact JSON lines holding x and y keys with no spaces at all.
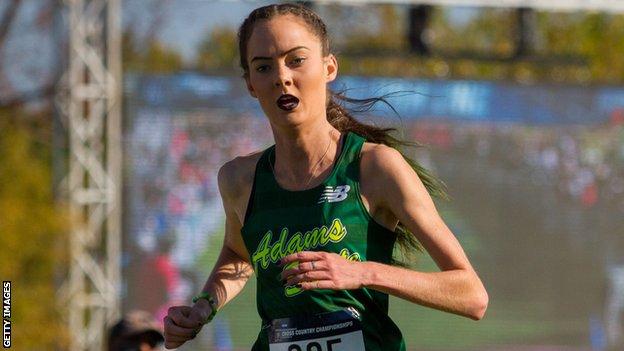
{"x":316,"y":216}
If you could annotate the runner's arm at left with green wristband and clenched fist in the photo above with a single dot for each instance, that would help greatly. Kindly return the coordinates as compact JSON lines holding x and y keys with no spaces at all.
{"x":230,"y":272}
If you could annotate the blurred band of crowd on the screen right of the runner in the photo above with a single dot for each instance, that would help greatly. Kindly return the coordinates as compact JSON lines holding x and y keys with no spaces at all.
{"x":583,"y":164}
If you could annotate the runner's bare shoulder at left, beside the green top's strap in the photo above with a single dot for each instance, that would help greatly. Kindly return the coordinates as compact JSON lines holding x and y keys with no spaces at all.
{"x":235,"y":180}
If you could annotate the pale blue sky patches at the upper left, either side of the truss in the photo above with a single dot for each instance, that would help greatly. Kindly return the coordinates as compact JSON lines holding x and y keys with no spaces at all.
{"x":30,"y":54}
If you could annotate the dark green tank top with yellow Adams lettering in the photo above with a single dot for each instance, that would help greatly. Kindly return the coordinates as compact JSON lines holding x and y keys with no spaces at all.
{"x":332,"y":218}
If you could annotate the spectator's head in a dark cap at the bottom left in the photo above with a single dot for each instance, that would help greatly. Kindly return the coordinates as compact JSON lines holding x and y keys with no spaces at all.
{"x":136,"y":331}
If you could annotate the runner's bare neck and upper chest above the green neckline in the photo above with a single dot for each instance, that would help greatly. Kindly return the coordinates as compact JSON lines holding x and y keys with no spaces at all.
{"x":305,"y":155}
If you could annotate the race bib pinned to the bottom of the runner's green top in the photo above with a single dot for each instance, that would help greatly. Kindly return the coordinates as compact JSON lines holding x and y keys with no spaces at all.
{"x":331,"y":331}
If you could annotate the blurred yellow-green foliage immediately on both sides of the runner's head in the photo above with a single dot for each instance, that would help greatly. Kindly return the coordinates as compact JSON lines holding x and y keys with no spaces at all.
{"x":372,"y":40}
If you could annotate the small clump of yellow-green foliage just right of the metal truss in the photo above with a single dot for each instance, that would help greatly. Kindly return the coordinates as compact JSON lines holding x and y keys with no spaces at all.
{"x":150,"y":57}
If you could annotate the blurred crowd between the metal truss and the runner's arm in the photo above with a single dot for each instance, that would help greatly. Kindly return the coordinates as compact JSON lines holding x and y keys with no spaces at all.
{"x":174,"y":202}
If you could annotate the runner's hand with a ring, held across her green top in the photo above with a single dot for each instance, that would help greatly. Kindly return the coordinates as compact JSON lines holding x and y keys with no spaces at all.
{"x":323,"y":270}
